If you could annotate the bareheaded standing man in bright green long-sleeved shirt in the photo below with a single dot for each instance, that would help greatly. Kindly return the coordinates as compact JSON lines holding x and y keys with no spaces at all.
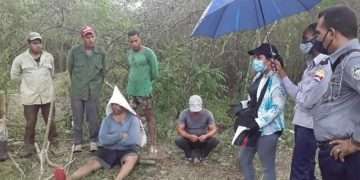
{"x":143,"y":71}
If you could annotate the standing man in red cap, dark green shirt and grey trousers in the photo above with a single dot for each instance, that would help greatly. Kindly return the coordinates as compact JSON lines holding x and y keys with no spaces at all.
{"x":86,"y":66}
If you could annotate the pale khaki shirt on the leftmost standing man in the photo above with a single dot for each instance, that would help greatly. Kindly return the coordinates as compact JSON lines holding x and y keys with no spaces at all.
{"x":36,"y":78}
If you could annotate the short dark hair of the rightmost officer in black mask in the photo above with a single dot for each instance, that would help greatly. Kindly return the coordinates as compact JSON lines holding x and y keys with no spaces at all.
{"x":342,"y":19}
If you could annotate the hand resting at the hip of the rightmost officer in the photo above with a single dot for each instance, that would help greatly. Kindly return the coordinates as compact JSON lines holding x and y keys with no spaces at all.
{"x":342,"y":148}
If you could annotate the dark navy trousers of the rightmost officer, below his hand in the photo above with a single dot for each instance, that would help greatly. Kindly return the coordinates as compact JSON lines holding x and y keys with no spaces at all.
{"x":332,"y":169}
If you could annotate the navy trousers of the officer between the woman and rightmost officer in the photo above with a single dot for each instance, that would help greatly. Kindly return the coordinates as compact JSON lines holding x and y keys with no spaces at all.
{"x":303,"y":160}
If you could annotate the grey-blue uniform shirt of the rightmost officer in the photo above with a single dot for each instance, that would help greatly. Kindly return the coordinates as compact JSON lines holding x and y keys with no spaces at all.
{"x":337,"y":115}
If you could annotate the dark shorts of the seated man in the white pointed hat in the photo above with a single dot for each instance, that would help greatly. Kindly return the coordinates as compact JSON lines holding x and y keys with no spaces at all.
{"x":109,"y":158}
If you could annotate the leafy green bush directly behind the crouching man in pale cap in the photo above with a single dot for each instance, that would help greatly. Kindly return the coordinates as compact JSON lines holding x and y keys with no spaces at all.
{"x":180,"y":77}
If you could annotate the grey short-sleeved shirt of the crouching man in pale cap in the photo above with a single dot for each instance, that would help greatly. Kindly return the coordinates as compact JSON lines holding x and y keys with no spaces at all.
{"x":199,"y":124}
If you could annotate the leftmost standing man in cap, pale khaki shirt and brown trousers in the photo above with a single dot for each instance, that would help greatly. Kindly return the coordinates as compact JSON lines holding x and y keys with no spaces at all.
{"x":35,"y":69}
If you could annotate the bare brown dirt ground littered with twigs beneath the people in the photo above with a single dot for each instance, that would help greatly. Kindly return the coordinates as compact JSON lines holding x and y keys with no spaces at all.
{"x":222,"y":164}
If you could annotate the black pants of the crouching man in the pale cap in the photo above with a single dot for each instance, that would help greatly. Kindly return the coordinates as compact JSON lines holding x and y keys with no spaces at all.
{"x":204,"y":148}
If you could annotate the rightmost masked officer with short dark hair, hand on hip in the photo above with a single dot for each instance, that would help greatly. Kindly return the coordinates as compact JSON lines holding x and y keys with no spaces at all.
{"x":336,"y":116}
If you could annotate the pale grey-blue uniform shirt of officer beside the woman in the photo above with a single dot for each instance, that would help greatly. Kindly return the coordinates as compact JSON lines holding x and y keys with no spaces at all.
{"x":302,"y":115}
